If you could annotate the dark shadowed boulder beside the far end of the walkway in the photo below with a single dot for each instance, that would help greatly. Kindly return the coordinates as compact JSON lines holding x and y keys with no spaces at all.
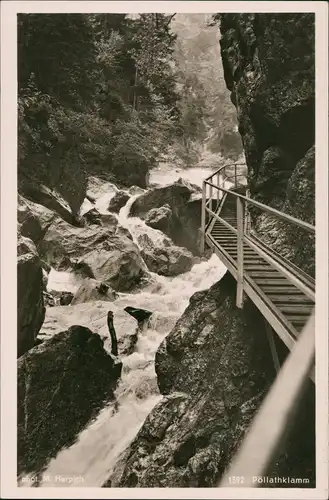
{"x":184,"y":201}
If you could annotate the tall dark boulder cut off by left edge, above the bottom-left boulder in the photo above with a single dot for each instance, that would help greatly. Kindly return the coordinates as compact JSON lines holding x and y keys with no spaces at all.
{"x":30,"y":305}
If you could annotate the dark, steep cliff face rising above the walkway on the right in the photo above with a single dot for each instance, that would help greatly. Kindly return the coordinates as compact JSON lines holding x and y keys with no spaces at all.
{"x":269,"y":66}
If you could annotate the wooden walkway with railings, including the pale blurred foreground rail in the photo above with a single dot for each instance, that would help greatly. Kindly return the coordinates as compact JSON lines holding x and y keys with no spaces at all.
{"x":283,"y":293}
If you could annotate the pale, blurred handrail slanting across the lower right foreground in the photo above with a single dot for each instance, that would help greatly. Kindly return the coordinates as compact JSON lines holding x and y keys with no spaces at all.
{"x":268,"y":431}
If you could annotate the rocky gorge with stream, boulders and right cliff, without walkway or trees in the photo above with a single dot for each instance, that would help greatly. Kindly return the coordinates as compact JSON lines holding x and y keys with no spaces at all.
{"x":173,"y":406}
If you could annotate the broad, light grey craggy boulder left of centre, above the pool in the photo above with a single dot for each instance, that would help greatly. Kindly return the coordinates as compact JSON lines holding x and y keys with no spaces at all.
{"x":107,"y":252}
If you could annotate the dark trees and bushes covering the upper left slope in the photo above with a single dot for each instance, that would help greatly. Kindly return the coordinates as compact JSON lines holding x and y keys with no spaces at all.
{"x":96,"y":93}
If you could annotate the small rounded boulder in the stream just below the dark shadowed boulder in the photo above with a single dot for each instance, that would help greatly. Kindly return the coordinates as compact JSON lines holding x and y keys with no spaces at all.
{"x":166,"y":261}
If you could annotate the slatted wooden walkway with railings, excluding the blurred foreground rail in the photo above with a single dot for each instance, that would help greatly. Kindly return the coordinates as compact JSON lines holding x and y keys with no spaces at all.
{"x":284,"y":294}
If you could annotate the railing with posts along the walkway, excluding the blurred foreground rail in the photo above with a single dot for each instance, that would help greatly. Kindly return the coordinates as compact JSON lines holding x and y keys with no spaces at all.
{"x":242,"y":229}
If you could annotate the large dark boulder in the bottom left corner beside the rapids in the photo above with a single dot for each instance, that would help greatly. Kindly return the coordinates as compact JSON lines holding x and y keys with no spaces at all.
{"x":62,"y":383}
